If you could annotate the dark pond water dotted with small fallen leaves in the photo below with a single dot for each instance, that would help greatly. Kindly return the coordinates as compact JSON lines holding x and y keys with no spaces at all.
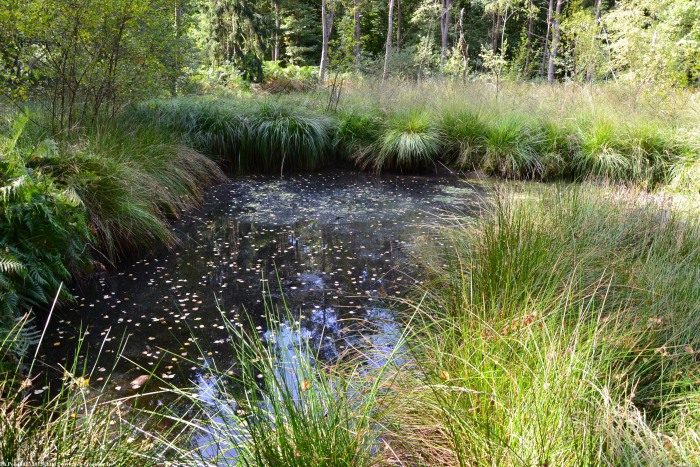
{"x":334,"y":246}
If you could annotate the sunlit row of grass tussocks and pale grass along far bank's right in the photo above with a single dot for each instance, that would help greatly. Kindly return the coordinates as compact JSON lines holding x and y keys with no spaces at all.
{"x":533,"y":132}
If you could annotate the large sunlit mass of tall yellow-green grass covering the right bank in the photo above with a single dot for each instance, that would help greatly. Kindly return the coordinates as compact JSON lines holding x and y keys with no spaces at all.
{"x":561,"y":328}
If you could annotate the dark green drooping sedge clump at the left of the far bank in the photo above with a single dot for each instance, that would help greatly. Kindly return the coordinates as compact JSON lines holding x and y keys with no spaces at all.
{"x":246,"y":136}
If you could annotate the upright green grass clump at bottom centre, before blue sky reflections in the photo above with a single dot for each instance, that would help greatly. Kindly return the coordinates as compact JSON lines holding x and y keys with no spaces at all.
{"x":279,"y":405}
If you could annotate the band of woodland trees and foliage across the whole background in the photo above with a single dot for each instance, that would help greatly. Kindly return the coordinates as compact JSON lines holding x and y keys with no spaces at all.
{"x":83,"y":57}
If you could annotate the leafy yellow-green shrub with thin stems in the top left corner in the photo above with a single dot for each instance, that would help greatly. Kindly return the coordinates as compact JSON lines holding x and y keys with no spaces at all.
{"x":90,"y":58}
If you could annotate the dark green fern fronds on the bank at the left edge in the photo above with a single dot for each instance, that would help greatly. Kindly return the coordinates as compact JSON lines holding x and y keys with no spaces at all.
{"x":43,"y":235}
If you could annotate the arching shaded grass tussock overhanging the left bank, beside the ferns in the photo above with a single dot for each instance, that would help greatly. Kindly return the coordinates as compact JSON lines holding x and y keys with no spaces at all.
{"x":131,"y":178}
